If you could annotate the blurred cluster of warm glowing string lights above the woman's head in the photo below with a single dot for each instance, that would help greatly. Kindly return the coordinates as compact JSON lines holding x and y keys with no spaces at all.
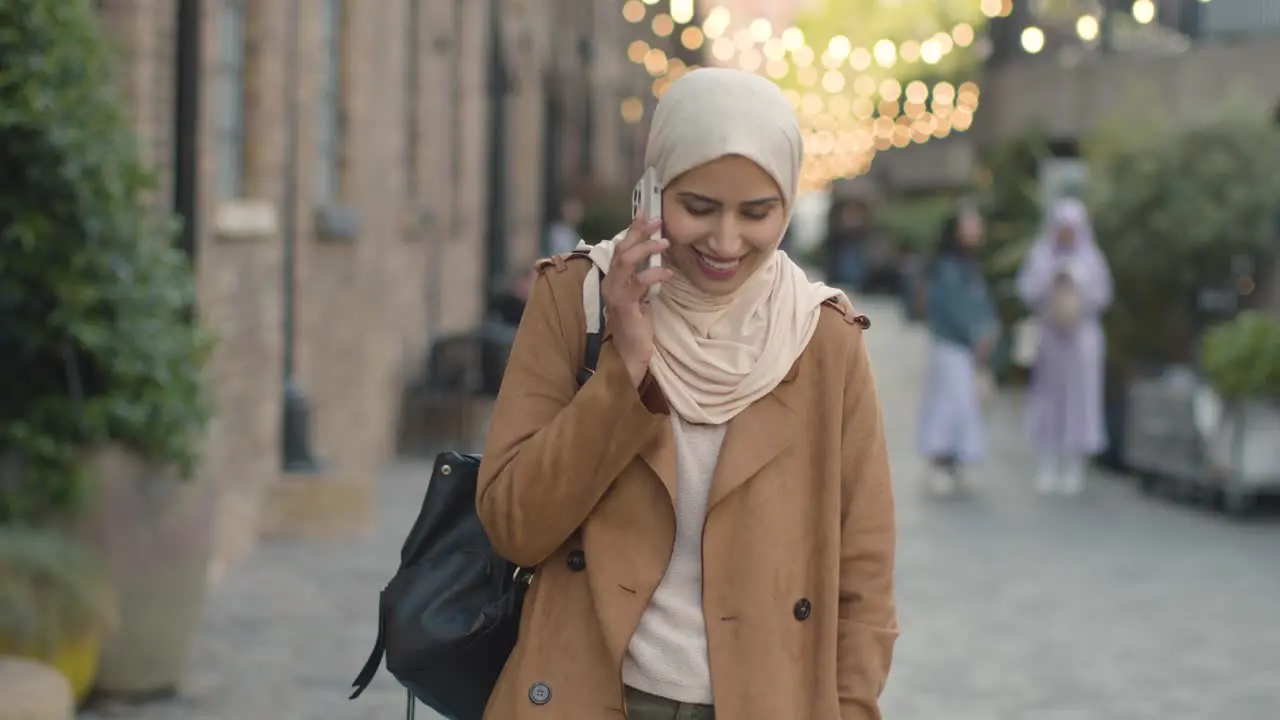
{"x":844,"y":130}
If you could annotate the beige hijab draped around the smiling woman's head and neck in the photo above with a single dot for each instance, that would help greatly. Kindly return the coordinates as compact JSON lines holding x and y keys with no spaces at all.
{"x":715,"y":357}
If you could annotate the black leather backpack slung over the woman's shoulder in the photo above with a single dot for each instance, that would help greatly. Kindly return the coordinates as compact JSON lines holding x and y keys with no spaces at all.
{"x":449,"y":621}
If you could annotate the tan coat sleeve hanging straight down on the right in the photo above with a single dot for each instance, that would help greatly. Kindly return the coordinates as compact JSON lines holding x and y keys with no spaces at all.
{"x":868,"y":616}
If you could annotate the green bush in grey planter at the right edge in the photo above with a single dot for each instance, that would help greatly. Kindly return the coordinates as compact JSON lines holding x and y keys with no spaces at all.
{"x":1241,"y":359}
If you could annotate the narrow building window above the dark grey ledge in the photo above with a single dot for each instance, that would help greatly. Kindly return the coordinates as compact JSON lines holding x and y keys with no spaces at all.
{"x":330,"y":122}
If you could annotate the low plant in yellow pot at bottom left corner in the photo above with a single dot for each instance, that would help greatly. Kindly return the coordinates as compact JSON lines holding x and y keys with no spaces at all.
{"x":57,"y":603}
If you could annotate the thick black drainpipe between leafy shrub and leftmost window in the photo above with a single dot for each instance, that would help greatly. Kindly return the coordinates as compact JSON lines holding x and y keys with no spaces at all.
{"x":186,"y":197}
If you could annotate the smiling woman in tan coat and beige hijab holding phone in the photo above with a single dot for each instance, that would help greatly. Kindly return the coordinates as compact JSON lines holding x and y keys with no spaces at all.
{"x":711,"y":514}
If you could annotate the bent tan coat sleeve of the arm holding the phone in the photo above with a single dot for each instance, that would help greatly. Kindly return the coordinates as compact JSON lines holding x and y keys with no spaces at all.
{"x":554,"y":449}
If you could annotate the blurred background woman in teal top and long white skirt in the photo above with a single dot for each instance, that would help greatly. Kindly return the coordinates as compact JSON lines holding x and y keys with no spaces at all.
{"x":963,"y":323}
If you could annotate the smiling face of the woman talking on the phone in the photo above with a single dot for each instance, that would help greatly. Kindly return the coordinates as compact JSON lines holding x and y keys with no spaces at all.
{"x":724,"y":221}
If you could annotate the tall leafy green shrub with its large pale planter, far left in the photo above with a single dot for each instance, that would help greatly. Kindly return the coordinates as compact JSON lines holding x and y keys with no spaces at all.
{"x":107,"y":407}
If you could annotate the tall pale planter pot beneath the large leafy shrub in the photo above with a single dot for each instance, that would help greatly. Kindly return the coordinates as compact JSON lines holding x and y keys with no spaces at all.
{"x":156,"y":535}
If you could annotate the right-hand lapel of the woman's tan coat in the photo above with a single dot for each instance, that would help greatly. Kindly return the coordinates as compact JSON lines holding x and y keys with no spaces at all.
{"x":753,"y":440}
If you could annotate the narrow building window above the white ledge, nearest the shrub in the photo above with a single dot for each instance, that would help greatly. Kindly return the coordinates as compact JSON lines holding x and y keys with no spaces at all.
{"x":231,"y":101}
